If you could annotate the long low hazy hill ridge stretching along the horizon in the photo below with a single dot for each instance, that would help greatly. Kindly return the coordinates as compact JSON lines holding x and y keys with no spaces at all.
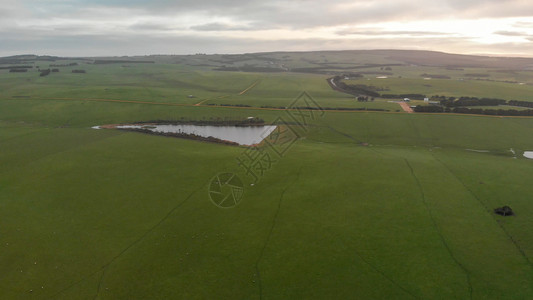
{"x":309,"y":62}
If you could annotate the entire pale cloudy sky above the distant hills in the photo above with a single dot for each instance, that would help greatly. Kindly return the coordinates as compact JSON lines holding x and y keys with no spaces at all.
{"x":135,"y":27}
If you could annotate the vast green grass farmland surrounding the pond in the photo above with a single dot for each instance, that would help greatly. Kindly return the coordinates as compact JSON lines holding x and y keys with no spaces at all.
{"x":364,"y":204}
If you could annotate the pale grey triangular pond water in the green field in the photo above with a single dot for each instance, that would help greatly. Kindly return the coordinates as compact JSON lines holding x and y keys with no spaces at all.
{"x":243,"y":135}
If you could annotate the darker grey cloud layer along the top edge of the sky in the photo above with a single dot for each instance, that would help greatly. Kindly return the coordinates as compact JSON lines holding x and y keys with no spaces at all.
{"x":311,"y":13}
